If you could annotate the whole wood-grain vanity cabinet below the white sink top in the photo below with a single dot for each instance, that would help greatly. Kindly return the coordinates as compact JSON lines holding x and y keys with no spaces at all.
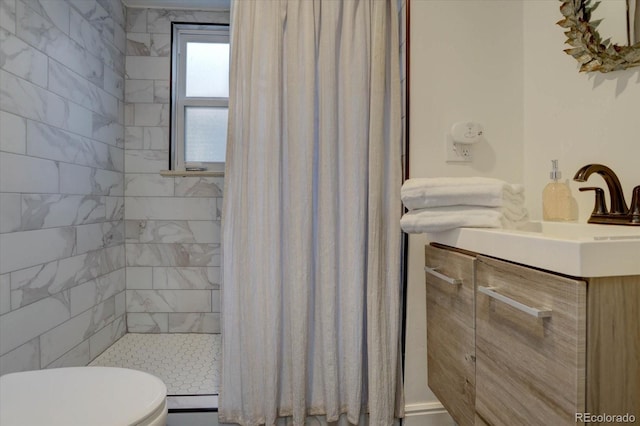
{"x":510,"y":344}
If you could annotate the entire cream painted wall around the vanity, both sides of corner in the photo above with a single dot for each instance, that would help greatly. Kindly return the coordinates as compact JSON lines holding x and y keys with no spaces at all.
{"x":502,"y":63}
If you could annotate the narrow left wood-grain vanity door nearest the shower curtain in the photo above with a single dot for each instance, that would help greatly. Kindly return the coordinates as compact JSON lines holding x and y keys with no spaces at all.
{"x":450,"y":331}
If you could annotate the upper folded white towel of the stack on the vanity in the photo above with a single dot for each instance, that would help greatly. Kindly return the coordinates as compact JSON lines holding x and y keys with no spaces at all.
{"x":420,"y":193}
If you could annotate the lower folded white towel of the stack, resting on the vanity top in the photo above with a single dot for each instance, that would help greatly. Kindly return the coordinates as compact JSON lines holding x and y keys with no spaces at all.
{"x":440,"y":219}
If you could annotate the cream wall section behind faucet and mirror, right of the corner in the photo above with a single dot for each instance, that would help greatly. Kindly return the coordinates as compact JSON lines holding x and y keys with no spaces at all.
{"x":574,"y":117}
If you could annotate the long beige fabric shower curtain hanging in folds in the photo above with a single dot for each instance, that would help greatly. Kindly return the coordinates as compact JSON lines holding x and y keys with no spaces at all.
{"x":311,"y":237}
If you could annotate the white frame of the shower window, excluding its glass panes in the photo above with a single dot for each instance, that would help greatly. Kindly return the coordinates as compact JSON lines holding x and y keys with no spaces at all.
{"x":181,"y":34}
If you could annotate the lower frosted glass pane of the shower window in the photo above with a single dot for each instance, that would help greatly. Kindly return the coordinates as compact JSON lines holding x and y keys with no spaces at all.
{"x":205,"y":134}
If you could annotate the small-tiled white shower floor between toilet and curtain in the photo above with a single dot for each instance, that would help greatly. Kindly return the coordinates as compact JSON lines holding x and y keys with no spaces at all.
{"x":188,"y":364}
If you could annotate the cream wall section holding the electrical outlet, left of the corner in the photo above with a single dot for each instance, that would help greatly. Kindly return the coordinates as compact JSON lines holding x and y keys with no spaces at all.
{"x":466,"y":64}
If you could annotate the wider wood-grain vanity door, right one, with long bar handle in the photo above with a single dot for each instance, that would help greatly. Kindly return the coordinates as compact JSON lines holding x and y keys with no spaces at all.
{"x":530,"y":367}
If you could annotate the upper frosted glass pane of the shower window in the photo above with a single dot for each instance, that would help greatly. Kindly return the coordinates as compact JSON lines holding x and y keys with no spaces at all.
{"x":207,"y":70}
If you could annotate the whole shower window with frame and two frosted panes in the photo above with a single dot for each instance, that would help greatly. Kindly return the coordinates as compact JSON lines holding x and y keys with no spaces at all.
{"x":199,"y":95}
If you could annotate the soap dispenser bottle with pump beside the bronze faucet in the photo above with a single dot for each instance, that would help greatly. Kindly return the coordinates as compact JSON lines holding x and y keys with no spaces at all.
{"x":557,"y":202}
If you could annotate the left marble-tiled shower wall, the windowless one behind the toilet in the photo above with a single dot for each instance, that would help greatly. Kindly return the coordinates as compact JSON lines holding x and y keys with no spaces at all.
{"x":62,"y":254}
